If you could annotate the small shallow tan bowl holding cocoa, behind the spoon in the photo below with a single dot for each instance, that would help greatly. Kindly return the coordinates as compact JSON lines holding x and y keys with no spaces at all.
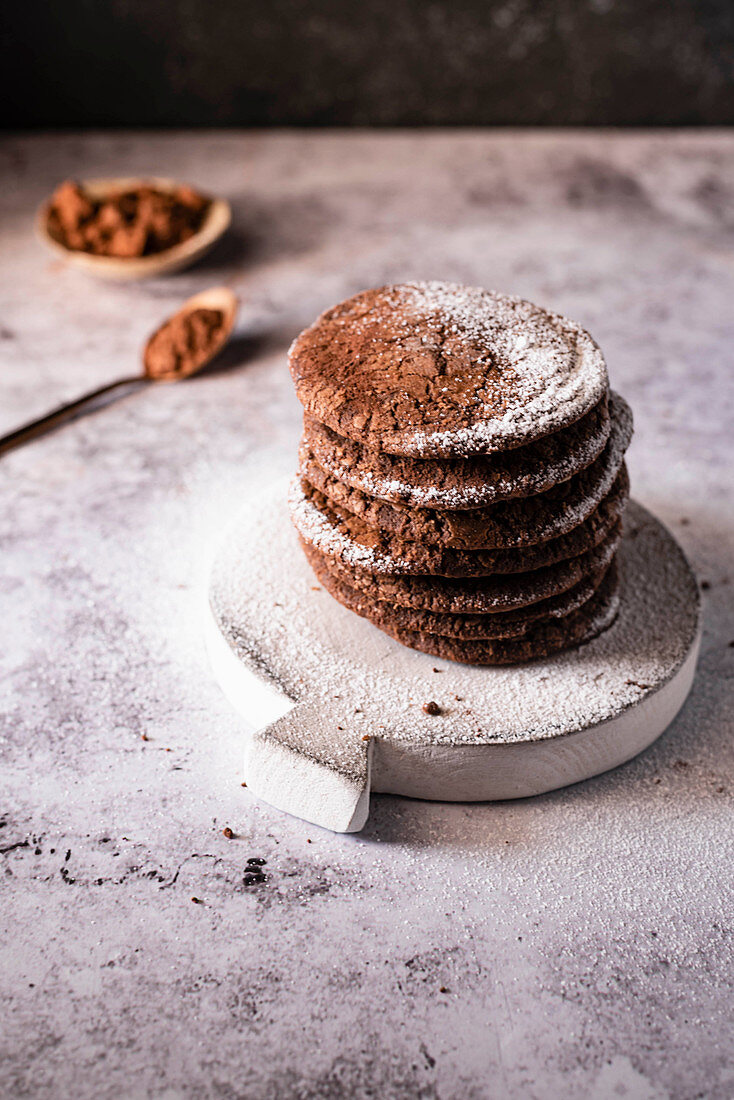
{"x":215,"y":225}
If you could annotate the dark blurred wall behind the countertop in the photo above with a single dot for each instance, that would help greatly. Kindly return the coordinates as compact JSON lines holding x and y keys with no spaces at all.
{"x":221,"y":63}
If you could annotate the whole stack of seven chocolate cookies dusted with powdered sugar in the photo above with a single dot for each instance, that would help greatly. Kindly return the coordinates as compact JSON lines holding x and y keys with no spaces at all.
{"x":462,"y":471}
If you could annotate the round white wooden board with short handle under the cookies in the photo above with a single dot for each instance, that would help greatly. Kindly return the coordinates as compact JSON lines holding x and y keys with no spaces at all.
{"x":337,"y":707}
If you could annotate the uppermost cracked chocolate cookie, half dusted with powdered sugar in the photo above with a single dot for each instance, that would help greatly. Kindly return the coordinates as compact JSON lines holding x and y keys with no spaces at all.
{"x":437,"y":370}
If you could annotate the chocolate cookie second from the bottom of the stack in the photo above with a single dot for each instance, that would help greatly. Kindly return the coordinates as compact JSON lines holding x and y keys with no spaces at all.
{"x":467,"y":628}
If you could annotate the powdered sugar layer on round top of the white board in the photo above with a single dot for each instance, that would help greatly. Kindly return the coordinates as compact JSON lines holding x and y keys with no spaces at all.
{"x":277,"y":619}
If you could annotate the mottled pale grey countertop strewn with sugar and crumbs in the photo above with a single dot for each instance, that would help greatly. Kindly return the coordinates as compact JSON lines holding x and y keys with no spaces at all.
{"x":578,"y":944}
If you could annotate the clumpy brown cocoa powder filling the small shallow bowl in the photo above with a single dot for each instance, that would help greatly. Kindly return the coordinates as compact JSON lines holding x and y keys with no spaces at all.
{"x":140,"y":222}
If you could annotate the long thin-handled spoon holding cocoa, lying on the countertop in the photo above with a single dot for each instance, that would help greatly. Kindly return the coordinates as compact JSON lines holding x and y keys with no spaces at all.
{"x":221,"y":299}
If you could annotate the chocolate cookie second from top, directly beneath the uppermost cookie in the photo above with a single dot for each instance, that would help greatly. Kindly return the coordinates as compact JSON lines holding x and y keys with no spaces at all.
{"x":462,"y":483}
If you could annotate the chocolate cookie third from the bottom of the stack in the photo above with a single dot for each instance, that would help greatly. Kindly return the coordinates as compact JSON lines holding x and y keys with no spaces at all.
{"x":474,"y":596}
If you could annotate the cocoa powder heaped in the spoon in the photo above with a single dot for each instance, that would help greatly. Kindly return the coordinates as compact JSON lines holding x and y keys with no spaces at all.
{"x":184,"y":344}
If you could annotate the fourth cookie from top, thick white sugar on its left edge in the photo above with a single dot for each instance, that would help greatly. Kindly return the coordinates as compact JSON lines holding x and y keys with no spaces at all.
{"x":339,"y":535}
